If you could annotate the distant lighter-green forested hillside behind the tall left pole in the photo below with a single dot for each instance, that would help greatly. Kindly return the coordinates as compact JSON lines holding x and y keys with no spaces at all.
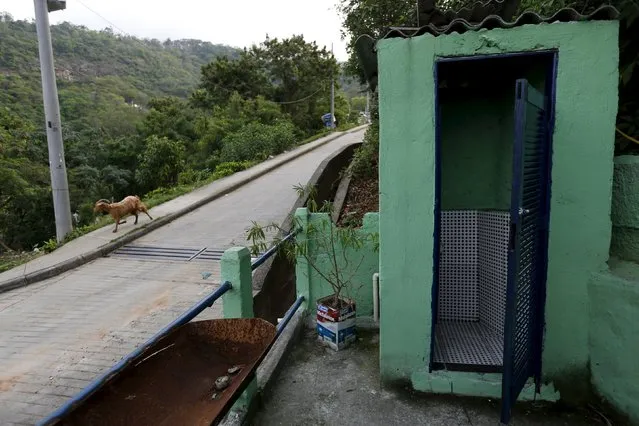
{"x":97,"y":71}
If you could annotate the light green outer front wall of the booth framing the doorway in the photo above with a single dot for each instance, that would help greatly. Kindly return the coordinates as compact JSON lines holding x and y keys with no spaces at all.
{"x":580,"y":225}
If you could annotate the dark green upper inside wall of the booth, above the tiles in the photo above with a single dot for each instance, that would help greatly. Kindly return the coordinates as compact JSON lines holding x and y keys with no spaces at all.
{"x":477,"y":152}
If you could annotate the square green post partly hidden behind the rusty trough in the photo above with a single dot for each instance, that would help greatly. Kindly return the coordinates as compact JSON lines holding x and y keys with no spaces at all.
{"x":238,"y":302}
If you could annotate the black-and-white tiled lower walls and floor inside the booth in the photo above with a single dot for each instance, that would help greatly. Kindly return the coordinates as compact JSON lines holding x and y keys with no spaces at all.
{"x":472,"y":287}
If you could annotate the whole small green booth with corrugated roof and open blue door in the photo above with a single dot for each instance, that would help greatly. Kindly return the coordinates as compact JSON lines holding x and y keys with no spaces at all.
{"x":496,"y":163}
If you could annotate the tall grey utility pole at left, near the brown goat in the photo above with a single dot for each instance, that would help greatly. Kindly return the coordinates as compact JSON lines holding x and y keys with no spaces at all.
{"x":59,"y":184}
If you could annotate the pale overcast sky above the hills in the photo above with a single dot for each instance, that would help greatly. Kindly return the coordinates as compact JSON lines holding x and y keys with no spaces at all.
{"x":237,"y":23}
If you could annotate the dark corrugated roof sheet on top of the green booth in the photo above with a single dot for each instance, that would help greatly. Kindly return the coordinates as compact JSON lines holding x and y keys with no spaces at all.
{"x":473,"y":19}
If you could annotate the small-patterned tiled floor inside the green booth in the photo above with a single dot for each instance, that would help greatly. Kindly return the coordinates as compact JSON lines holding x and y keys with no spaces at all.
{"x":471,"y":344}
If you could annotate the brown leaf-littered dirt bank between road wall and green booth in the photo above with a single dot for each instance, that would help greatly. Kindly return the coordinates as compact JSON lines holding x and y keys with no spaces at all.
{"x":362,"y":197}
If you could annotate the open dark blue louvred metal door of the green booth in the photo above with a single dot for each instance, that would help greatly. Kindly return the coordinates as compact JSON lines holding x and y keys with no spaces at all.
{"x":527,"y":256}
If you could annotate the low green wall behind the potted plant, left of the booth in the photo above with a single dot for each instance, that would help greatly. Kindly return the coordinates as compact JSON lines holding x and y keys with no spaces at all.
{"x":359,"y":264}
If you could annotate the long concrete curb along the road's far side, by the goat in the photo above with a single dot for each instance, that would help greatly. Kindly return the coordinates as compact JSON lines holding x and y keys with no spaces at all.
{"x":103,"y":250}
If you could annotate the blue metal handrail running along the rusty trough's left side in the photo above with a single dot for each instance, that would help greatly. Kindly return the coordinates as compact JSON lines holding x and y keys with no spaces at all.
{"x":207,"y":302}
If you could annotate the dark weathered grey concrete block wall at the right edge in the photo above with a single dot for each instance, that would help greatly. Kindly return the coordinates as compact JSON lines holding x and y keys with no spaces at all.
{"x":625,"y":208}
